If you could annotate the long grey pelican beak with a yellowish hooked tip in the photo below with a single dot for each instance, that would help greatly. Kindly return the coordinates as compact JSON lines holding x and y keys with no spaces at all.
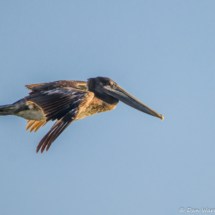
{"x":128,"y":99}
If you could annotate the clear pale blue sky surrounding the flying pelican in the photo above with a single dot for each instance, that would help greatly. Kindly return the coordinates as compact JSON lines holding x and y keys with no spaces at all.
{"x":121,"y":162}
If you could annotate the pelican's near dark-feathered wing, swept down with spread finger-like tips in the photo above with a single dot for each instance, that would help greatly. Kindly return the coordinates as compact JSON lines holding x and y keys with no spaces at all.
{"x":62,"y":104}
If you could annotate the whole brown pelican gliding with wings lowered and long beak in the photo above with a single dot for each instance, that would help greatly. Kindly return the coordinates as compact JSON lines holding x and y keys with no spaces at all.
{"x":67,"y":101}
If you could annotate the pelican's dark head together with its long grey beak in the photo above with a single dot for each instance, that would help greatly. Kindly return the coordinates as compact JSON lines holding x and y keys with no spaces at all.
{"x":110,"y":92}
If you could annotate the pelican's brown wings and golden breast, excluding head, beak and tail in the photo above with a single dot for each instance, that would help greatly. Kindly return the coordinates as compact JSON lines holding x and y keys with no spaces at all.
{"x":63,"y":101}
